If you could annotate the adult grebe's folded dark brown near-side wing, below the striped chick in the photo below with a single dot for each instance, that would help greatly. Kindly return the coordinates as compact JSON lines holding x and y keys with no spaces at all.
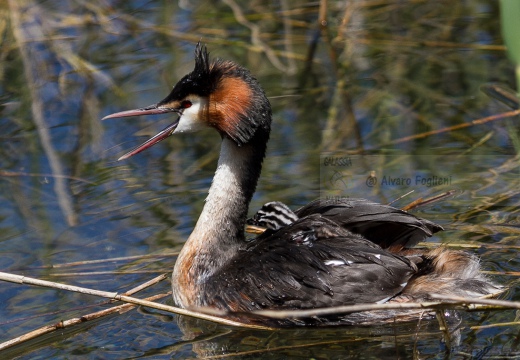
{"x":288,"y":270}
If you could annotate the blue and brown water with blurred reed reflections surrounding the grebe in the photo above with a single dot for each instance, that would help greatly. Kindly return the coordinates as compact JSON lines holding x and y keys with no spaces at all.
{"x":375,"y":74}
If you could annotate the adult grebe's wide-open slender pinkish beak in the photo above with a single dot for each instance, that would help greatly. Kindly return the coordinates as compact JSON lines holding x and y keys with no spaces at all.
{"x":149,"y":110}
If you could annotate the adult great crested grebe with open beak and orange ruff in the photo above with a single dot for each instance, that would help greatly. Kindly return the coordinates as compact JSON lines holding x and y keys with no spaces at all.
{"x":329,"y":255}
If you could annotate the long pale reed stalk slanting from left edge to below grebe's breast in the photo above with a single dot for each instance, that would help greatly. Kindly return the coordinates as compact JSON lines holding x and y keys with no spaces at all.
{"x":18,"y":279}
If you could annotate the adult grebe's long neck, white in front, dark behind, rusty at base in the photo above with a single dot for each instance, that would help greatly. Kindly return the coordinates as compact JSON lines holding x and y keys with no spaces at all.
{"x":219,"y":232}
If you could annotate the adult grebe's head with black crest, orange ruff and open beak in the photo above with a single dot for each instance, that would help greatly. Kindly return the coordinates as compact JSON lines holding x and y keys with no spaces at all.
{"x":218,"y":94}
